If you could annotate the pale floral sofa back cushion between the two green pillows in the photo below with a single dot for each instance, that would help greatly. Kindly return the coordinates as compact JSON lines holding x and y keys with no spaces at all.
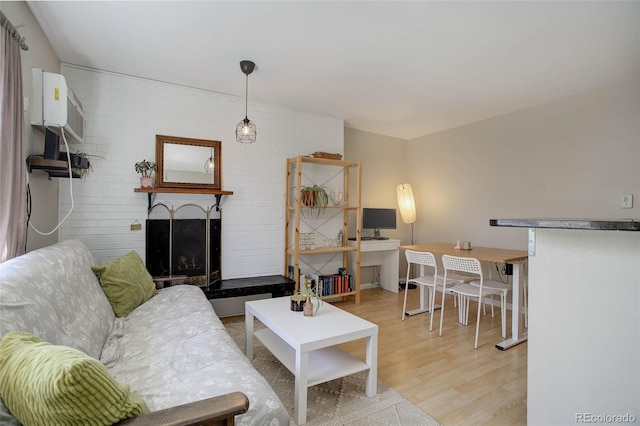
{"x":52,"y":293}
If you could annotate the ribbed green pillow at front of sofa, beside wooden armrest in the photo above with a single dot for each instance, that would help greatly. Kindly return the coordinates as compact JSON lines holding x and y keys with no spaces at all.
{"x":45,"y":384}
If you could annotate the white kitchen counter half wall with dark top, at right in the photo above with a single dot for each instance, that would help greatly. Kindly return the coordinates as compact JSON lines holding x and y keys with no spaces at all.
{"x":584,"y":318}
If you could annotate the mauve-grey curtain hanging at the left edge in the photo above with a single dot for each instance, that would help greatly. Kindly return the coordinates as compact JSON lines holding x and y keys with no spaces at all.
{"x":13,"y":197}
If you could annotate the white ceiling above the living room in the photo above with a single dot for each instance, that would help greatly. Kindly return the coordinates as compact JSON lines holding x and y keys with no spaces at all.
{"x":403,"y":69}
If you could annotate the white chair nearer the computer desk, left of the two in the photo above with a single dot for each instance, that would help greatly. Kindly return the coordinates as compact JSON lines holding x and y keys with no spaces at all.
{"x":432,"y":282}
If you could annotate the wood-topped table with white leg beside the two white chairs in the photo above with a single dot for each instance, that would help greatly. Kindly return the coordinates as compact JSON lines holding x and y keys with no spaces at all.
{"x":487,"y":254}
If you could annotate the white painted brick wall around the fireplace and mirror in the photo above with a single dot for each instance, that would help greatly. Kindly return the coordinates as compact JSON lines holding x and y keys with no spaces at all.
{"x":123,"y":116}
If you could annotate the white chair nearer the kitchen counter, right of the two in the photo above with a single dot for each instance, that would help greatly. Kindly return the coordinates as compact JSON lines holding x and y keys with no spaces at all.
{"x":466,"y":291}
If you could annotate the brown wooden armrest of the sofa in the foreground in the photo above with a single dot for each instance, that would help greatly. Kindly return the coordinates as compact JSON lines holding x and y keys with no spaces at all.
{"x":219,"y":410}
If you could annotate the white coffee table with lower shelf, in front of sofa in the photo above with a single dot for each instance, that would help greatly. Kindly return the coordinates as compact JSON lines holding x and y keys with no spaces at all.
{"x":306,"y":346}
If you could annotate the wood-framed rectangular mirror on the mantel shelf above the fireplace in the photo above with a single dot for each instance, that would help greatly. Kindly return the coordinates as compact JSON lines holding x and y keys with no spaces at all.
{"x":188,"y":163}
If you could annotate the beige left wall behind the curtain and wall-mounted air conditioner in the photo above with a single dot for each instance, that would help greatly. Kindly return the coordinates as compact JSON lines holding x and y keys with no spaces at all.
{"x":44,"y":193}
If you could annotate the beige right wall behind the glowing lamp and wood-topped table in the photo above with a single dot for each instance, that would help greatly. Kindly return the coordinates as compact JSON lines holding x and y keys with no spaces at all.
{"x":570,"y":158}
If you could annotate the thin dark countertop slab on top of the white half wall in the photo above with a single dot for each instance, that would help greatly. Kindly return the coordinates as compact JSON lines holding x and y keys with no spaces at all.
{"x":589,"y":224}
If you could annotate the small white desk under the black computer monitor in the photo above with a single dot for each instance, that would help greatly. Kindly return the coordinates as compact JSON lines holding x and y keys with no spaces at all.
{"x":383,"y":253}
